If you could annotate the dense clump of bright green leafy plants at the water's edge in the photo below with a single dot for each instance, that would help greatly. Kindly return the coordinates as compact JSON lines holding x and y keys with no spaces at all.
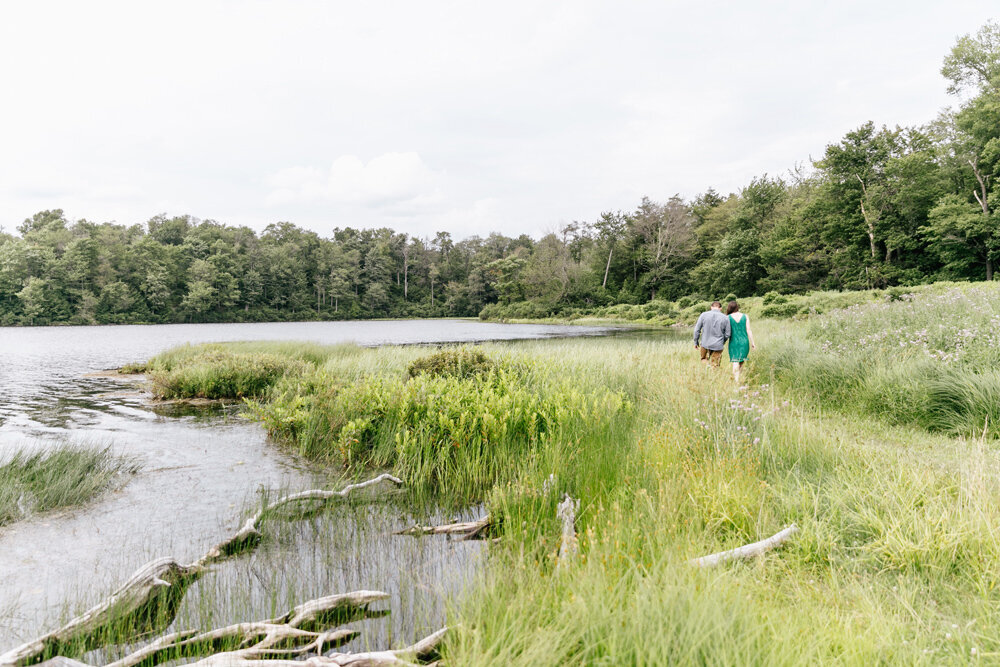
{"x":453,"y":427}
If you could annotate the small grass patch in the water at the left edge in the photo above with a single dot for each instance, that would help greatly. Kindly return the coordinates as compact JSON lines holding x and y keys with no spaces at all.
{"x":56,"y":478}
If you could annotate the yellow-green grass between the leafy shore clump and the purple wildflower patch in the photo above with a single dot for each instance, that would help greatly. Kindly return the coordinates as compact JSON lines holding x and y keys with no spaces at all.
{"x":895,"y":562}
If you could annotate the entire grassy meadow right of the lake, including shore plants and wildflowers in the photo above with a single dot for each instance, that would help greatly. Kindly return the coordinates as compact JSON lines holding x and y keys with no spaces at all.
{"x":880,"y":446}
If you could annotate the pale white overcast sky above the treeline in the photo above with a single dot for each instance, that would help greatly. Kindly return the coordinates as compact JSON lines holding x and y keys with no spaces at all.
{"x":465,"y":117}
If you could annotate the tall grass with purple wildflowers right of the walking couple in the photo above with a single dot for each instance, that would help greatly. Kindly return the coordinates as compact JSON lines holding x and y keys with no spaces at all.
{"x":928,"y":360}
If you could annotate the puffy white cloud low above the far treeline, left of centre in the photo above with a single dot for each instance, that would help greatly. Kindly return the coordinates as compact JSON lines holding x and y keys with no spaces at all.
{"x":391,"y":180}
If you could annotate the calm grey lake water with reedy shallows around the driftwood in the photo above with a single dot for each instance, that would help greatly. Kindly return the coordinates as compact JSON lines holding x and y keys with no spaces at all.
{"x":198,"y":474}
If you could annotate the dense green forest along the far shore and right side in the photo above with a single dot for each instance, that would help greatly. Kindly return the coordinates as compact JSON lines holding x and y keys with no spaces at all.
{"x":883,"y":206}
